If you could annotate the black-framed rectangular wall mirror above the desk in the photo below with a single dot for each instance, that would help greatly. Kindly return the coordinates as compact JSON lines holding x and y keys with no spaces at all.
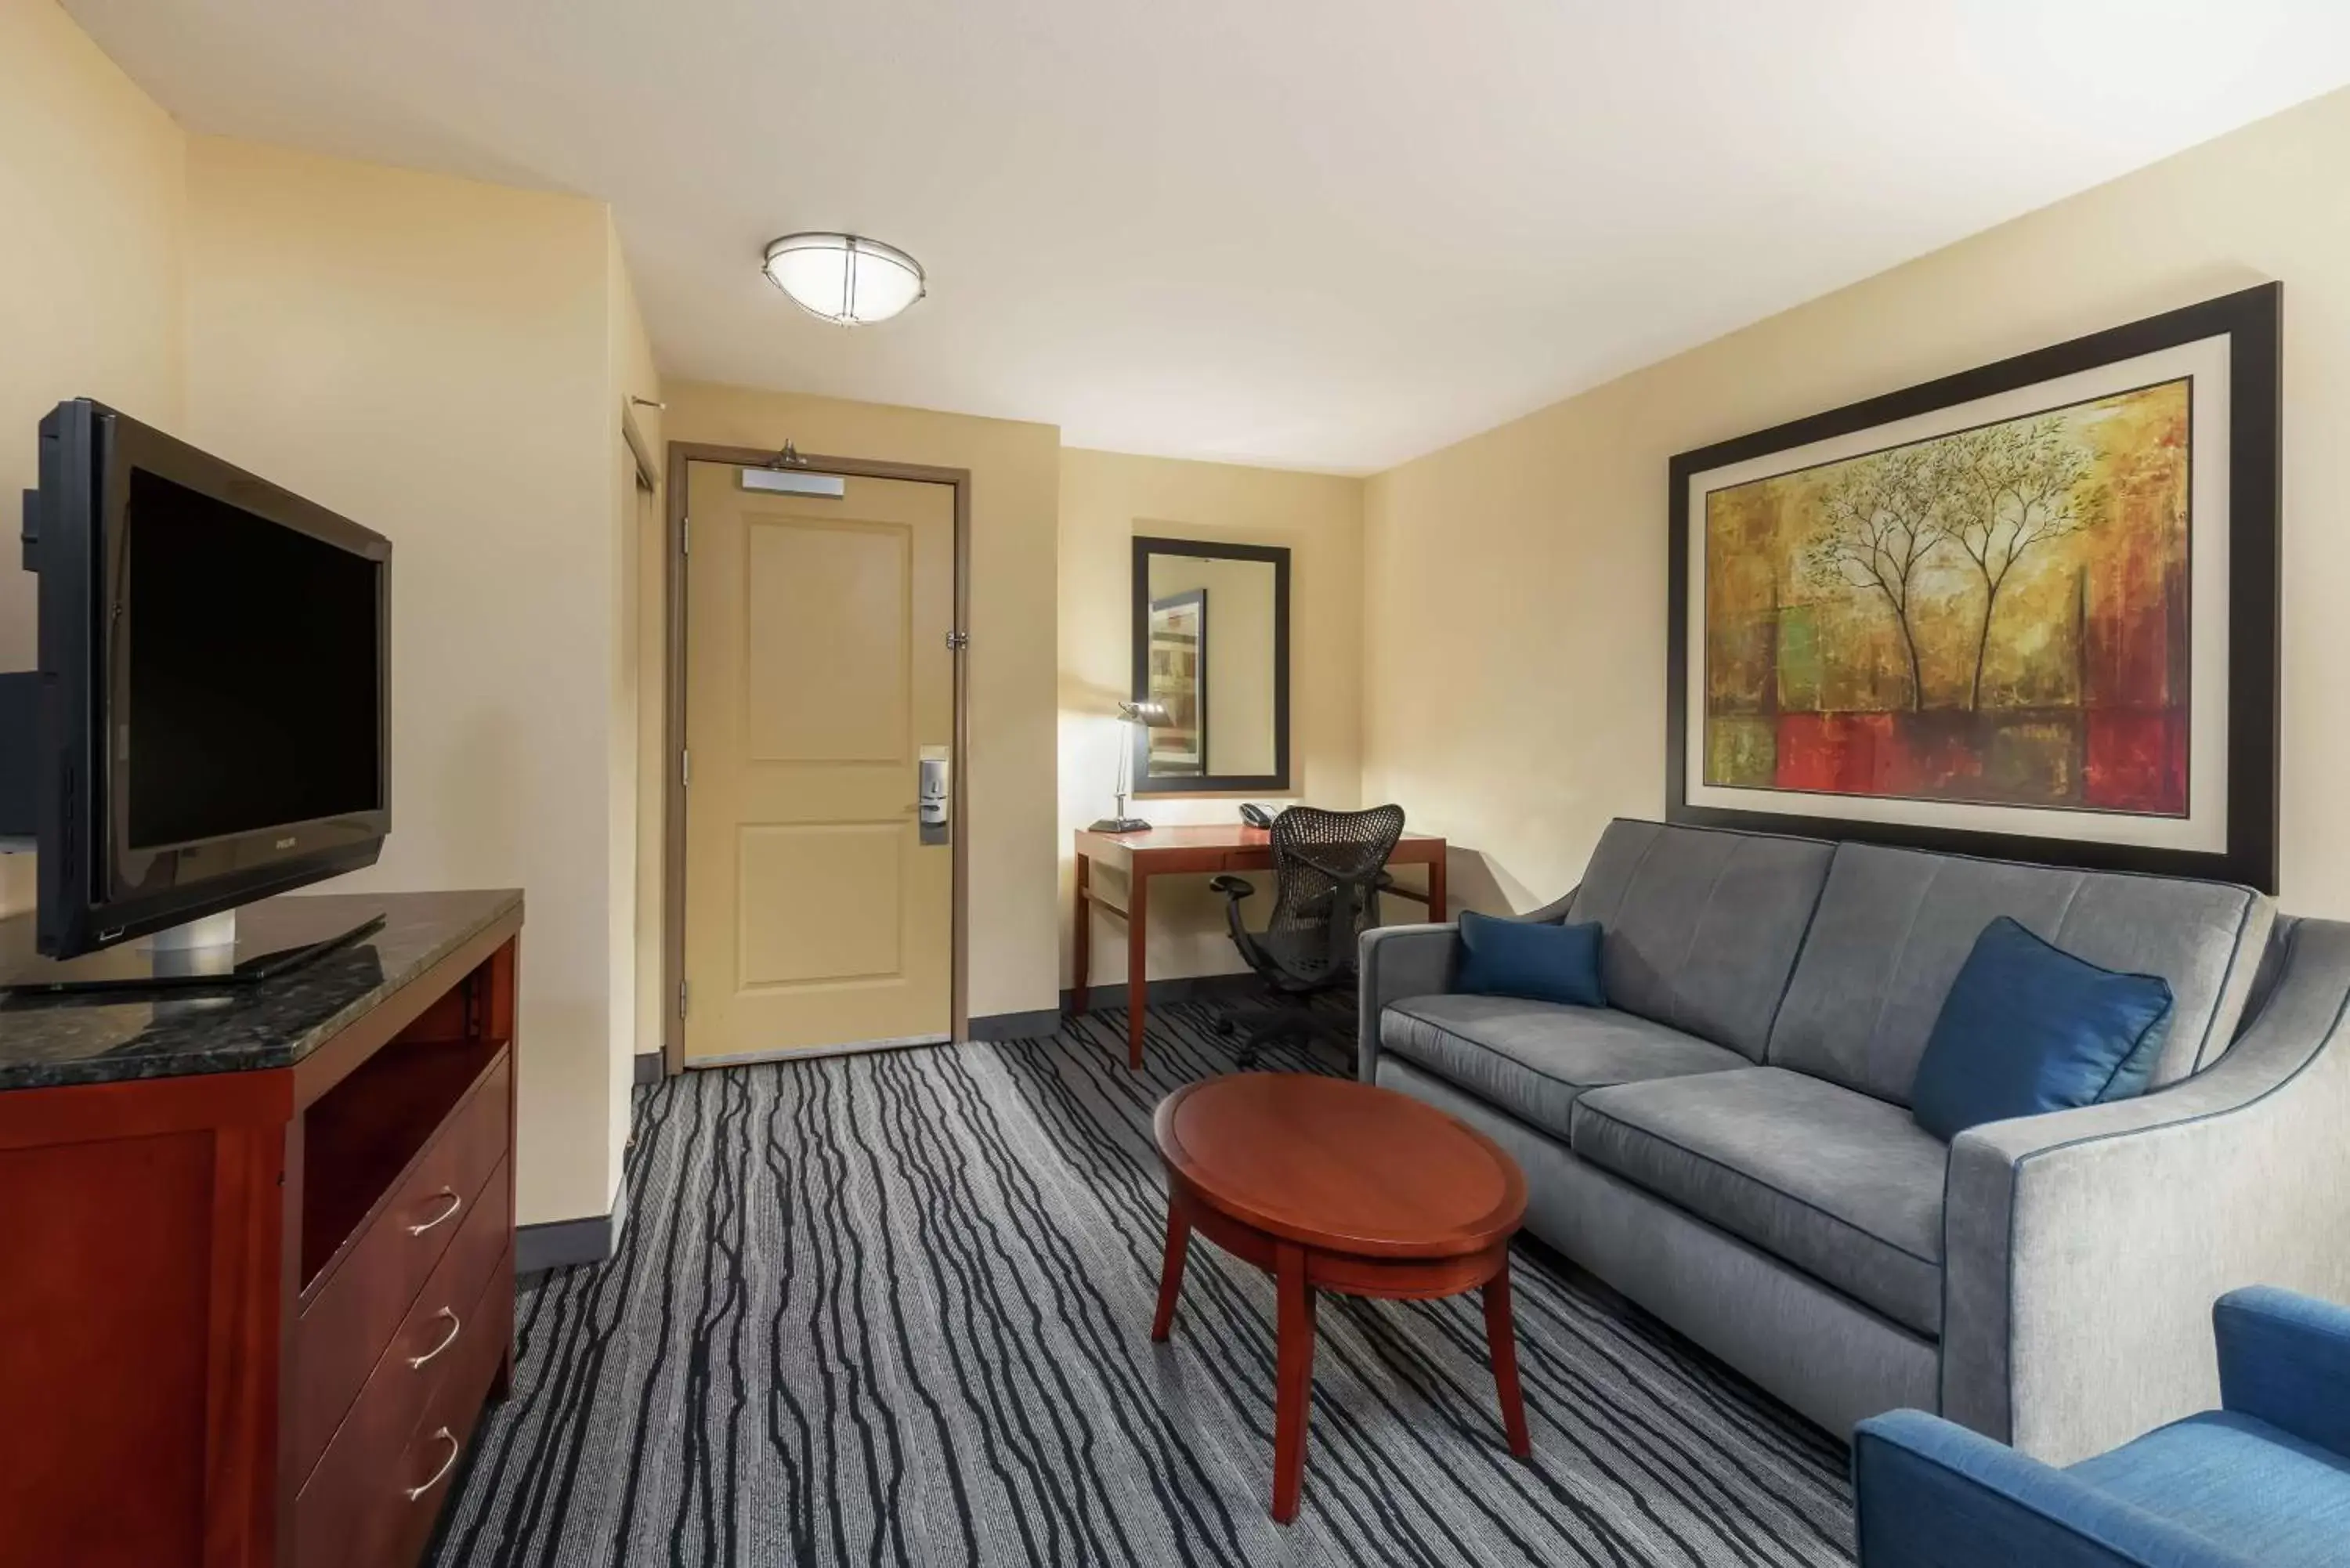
{"x":1214,"y":655}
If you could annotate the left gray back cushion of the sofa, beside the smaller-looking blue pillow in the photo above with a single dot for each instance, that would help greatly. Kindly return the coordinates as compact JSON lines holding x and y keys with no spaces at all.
{"x":1703,"y":927}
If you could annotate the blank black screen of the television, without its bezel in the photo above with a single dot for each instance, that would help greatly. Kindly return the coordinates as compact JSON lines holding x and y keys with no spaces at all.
{"x":250,"y":671}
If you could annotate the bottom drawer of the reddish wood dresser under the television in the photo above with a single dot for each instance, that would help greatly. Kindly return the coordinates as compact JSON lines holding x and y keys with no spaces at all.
{"x":389,"y":1473}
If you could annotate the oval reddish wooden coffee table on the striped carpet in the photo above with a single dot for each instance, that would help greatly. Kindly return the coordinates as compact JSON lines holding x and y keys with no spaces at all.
{"x":1338,"y":1186}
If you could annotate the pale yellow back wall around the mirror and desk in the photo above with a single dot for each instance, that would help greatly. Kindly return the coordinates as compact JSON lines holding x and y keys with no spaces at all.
{"x":1106,"y":500}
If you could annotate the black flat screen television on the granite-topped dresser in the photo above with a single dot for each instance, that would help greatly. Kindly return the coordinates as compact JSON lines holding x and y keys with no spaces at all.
{"x":210,"y":721}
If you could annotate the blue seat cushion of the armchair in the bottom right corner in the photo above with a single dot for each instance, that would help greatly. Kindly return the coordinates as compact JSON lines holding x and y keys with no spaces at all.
{"x":2234,"y":1480}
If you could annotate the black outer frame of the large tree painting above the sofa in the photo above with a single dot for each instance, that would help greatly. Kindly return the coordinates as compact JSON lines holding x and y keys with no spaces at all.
{"x":2252,"y":326}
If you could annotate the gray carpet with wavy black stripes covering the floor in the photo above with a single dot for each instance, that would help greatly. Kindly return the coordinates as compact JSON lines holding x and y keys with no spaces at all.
{"x":897,"y":1311}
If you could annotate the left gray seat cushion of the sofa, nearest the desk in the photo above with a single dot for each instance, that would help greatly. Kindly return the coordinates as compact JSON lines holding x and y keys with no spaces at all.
{"x":1531,"y":1059}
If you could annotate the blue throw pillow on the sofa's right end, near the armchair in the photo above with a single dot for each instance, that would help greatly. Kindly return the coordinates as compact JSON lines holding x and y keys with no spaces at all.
{"x":2029,"y":1028}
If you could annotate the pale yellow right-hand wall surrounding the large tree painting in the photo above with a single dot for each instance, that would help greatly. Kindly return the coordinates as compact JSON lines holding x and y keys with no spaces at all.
{"x":1517,"y":579}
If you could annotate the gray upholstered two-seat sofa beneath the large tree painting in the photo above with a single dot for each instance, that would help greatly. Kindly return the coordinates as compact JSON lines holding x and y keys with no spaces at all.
{"x":1731,"y":1141}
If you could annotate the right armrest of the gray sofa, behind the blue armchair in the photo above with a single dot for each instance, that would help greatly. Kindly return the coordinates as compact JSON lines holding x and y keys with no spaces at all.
{"x":2083,"y":1249}
